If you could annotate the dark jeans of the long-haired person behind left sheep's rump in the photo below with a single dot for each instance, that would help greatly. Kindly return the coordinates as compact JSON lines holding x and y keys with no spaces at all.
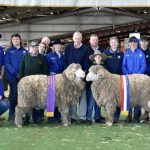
{"x":12,"y":96}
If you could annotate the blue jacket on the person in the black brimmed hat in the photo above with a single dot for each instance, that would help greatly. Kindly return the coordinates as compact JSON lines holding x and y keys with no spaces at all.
{"x":55,"y":64}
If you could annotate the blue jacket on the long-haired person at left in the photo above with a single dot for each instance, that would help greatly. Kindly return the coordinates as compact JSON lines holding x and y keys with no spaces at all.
{"x":13,"y":60}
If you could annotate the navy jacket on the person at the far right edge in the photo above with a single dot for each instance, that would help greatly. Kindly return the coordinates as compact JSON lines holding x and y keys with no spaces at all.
{"x":147,"y":55}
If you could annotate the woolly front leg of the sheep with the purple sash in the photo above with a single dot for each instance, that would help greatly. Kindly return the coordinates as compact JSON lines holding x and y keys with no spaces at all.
{"x":64,"y":110}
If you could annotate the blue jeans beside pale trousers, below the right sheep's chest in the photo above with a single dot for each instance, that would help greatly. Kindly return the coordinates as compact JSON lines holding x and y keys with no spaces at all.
{"x":92,"y":105}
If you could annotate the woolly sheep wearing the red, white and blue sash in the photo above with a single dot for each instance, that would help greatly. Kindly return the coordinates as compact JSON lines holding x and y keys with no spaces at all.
{"x":106,"y":91}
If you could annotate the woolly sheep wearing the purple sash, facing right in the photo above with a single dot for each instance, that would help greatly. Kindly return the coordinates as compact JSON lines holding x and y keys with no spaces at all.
{"x":32,"y":93}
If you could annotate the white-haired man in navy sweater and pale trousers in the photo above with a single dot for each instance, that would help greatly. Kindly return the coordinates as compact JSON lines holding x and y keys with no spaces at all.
{"x":77,"y":53}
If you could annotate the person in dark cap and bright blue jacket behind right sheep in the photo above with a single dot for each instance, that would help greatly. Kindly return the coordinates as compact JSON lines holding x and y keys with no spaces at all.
{"x":134,"y":63}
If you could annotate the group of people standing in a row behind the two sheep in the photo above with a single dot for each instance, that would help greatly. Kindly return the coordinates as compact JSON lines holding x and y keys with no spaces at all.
{"x":41,"y":59}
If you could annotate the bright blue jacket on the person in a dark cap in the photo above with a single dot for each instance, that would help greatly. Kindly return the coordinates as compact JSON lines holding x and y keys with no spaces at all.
{"x":134,"y":62}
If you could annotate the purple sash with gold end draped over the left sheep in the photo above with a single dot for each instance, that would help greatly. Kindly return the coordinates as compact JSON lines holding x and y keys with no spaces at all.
{"x":51,"y":96}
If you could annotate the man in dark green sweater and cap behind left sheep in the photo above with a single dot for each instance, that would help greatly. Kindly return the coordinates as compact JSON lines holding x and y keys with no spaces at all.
{"x":33,"y":63}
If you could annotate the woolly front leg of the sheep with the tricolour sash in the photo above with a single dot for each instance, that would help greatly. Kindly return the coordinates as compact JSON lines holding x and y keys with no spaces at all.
{"x":110,"y":111}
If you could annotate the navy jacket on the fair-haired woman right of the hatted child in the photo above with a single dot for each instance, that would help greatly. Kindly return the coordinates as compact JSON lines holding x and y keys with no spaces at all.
{"x":113,"y":63}
